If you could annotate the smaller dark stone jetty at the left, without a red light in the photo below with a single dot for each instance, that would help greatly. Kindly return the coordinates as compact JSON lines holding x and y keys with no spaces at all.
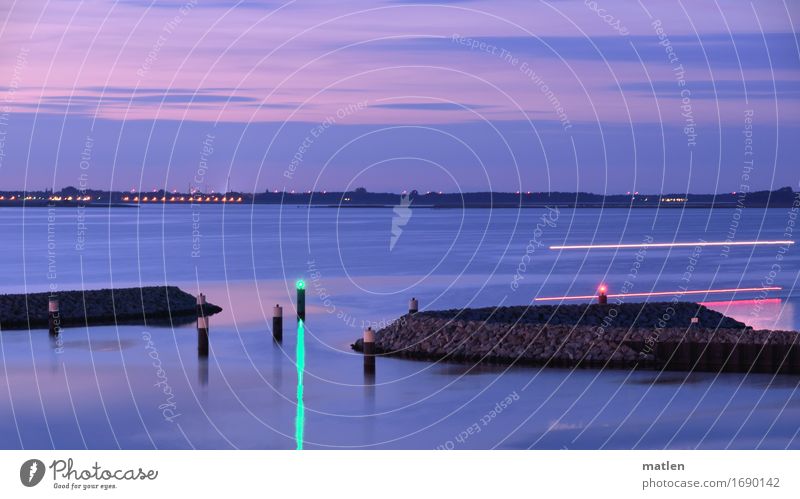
{"x":152,"y":304}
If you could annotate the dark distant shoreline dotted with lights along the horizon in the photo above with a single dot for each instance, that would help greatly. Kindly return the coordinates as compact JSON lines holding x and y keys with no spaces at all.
{"x":784,"y":197}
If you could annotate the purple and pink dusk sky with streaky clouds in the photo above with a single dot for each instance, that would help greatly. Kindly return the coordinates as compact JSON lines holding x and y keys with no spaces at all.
{"x":605,"y":96}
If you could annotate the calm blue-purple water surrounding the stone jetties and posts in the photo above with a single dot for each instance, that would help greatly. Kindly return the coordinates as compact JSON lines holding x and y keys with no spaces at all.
{"x":109,"y":387}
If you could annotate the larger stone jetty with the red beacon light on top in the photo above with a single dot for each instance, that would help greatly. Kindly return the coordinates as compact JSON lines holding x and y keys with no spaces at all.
{"x":674,"y":336}
